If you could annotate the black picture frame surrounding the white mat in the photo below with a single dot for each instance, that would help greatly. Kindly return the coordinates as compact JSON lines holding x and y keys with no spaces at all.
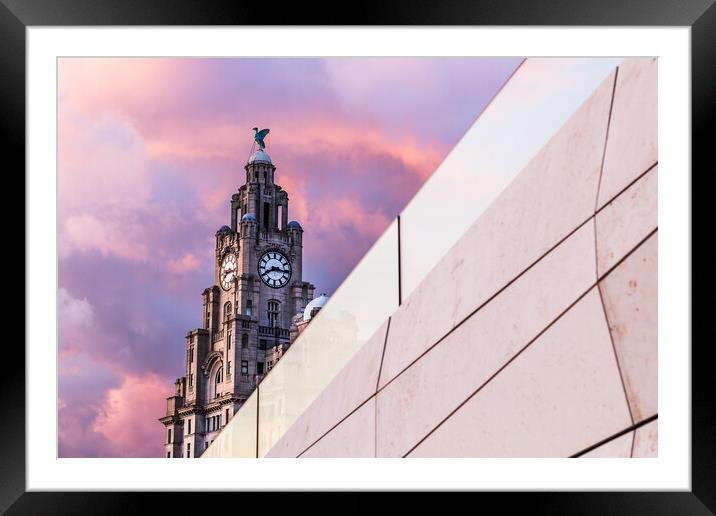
{"x":17,"y":15}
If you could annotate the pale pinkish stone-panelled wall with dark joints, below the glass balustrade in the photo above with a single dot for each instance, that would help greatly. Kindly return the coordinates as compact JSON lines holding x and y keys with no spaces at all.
{"x":536,"y":334}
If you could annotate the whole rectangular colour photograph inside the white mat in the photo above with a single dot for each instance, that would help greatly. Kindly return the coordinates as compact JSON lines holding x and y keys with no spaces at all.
{"x":241,"y":264}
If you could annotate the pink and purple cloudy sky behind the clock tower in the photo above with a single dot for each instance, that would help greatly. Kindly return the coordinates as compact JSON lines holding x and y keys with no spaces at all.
{"x":150,"y":151}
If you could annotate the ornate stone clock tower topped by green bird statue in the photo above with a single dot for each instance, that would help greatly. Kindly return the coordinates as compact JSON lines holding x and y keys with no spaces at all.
{"x":249,"y":315}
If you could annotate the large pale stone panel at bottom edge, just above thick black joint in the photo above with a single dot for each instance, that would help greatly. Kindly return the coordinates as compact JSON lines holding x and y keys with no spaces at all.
{"x":562,"y":394}
